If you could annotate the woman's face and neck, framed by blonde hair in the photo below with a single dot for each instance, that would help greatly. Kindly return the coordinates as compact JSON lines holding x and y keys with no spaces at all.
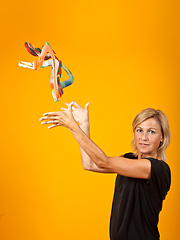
{"x":147,"y":137}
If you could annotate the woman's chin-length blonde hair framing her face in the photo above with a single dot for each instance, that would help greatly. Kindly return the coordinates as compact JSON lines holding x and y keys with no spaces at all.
{"x":163,"y":122}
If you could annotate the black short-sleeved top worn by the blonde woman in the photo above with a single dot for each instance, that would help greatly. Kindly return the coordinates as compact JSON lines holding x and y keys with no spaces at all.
{"x":137,"y":203}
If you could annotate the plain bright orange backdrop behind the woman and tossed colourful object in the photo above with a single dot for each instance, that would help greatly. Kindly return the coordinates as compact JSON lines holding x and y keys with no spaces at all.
{"x":124,"y":56}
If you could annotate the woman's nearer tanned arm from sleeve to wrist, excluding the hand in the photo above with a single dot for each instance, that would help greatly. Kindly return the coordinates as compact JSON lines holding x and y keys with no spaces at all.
{"x":139,"y":168}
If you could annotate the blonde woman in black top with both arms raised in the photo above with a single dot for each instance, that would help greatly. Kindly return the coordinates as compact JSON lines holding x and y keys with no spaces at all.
{"x":143,"y":178}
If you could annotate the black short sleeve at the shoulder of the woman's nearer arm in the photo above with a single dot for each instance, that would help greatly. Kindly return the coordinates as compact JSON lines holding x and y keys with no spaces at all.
{"x":160,"y":177}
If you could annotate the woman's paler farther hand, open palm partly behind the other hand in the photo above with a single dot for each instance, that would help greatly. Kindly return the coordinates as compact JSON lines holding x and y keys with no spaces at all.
{"x":81,"y":115}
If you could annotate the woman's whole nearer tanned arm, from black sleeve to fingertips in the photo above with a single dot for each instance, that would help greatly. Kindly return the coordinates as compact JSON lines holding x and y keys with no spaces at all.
{"x":140,"y":168}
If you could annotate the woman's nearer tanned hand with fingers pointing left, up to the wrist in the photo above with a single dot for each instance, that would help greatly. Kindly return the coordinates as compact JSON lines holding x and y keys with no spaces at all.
{"x":63,"y":118}
